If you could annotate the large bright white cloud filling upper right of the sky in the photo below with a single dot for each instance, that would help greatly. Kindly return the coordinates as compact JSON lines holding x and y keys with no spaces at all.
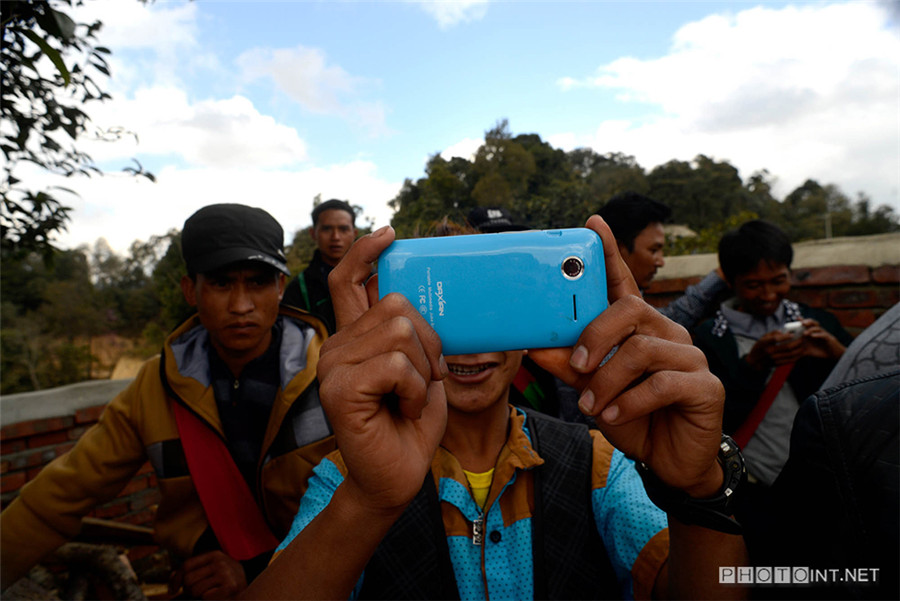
{"x":807,"y":92}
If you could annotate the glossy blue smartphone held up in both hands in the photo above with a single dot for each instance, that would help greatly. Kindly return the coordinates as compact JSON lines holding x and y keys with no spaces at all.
{"x":502,"y":291}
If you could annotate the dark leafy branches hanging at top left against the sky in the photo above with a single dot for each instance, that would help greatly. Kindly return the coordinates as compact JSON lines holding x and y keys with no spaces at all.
{"x":51,"y":67}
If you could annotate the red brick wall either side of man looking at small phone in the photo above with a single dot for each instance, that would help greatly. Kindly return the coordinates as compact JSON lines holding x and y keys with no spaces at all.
{"x":856,"y":294}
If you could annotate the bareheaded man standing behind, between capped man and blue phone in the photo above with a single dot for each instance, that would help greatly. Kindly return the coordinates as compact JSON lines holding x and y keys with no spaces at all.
{"x":334,"y":231}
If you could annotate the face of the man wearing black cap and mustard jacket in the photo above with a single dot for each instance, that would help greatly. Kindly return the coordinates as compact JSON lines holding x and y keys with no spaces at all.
{"x":238,"y":306}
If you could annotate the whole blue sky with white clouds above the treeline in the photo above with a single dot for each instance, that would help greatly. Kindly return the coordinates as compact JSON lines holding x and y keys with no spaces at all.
{"x":271,"y":103}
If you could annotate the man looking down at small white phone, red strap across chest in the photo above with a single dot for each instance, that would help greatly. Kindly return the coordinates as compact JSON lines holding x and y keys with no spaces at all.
{"x":770,"y":353}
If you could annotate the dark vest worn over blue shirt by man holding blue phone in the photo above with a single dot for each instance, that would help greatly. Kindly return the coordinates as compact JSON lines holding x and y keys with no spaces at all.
{"x":570,"y":561}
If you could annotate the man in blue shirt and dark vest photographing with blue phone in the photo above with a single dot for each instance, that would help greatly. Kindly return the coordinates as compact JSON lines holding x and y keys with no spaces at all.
{"x":486,"y":522}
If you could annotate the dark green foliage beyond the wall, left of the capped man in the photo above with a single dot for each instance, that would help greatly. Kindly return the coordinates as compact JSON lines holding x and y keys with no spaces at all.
{"x":52,"y":310}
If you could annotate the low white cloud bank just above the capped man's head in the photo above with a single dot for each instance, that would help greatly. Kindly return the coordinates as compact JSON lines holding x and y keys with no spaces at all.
{"x":122,"y":209}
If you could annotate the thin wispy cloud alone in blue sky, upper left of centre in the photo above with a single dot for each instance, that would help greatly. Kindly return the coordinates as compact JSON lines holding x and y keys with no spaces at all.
{"x":305,"y":75}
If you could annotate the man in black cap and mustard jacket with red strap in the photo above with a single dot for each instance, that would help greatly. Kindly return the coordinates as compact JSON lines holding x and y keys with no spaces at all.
{"x":228,"y":416}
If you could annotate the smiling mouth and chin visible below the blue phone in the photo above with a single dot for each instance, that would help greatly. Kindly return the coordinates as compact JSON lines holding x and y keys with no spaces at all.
{"x":478,"y":382}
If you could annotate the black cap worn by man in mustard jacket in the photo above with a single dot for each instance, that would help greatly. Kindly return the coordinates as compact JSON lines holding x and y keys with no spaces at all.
{"x":221,"y":234}
